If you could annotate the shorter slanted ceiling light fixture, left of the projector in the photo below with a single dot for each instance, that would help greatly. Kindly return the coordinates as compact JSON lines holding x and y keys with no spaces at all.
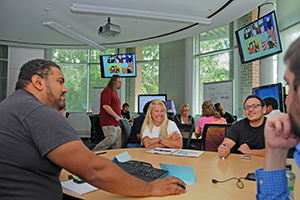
{"x":60,"y":28}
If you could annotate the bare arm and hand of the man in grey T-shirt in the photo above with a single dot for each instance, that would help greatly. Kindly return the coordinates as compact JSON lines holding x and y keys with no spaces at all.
{"x":75,"y":157}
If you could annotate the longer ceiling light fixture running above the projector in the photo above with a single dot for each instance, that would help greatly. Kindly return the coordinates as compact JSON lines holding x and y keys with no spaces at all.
{"x":83,"y":8}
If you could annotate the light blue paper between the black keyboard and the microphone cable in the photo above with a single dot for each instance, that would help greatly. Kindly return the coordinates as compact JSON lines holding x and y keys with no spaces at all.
{"x":185,"y":173}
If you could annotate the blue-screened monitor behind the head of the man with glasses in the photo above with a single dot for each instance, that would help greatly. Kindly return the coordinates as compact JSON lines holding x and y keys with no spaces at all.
{"x":273,"y":90}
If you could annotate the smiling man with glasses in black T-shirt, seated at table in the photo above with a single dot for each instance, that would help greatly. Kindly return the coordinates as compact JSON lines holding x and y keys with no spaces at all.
{"x":247,"y":136}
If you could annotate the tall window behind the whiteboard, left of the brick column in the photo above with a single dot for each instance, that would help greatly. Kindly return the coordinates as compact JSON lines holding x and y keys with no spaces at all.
{"x":211,"y":59}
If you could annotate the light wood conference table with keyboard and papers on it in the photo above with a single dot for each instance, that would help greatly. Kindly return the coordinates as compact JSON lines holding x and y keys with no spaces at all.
{"x":206,"y":167}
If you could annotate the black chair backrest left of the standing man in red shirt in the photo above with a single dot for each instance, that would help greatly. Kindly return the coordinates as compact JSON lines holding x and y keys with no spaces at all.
{"x":97,"y":134}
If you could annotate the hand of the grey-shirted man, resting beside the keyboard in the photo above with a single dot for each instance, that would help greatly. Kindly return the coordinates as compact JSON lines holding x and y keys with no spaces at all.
{"x":167,"y":186}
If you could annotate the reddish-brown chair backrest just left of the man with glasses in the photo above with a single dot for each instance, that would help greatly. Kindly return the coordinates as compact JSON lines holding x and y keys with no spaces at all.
{"x":213,"y":135}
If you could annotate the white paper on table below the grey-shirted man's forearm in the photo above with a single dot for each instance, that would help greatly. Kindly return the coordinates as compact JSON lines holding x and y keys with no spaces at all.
{"x":77,"y":188}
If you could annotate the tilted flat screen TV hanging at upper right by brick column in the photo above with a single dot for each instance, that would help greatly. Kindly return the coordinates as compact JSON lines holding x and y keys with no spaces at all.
{"x":259,"y":39}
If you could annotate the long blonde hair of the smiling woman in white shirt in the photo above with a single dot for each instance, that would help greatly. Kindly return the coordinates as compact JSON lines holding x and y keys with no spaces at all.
{"x":148,"y":122}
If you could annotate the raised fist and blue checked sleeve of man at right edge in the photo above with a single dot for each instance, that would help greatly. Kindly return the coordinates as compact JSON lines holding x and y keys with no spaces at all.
{"x":271,"y":180}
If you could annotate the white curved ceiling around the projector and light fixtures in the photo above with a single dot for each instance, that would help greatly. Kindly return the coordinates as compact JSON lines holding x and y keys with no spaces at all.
{"x":21,"y":25}
